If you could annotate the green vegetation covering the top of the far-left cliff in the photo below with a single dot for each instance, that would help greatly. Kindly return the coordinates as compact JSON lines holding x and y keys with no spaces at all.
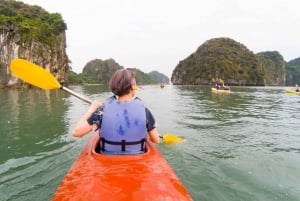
{"x":31,"y":22}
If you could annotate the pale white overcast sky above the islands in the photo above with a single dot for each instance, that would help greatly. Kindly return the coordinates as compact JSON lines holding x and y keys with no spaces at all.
{"x":157,"y":34}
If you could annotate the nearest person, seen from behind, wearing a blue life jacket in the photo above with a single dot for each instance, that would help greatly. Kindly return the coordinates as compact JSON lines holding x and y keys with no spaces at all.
{"x":123,"y":121}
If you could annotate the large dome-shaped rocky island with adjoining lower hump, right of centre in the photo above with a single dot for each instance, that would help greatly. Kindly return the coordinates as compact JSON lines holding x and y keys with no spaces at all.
{"x":231,"y":61}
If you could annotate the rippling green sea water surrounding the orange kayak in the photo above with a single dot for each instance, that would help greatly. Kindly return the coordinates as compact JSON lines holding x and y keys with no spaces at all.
{"x":243,"y":146}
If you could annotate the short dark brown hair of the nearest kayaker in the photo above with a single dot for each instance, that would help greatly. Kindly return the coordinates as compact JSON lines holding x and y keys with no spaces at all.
{"x":122,"y":81}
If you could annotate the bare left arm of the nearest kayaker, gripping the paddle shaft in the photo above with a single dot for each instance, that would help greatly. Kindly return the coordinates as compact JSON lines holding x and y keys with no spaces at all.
{"x":83,"y":127}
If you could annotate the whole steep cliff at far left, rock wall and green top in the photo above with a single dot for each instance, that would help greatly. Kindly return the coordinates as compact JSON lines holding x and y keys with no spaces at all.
{"x":31,"y":33}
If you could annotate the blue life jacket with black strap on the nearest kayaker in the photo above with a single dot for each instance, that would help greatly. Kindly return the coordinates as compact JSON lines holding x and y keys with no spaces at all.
{"x":123,"y":127}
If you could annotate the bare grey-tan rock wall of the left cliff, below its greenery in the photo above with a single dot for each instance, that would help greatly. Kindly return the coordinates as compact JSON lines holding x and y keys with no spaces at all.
{"x":54,"y":59}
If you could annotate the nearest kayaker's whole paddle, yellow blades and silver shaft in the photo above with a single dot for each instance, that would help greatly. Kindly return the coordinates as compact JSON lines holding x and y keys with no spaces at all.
{"x":40,"y":77}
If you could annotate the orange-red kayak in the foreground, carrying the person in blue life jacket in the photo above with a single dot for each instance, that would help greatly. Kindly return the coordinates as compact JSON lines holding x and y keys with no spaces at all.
{"x":95,"y":176}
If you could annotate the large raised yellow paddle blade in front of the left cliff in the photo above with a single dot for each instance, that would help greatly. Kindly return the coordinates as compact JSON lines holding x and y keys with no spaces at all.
{"x":33,"y":74}
